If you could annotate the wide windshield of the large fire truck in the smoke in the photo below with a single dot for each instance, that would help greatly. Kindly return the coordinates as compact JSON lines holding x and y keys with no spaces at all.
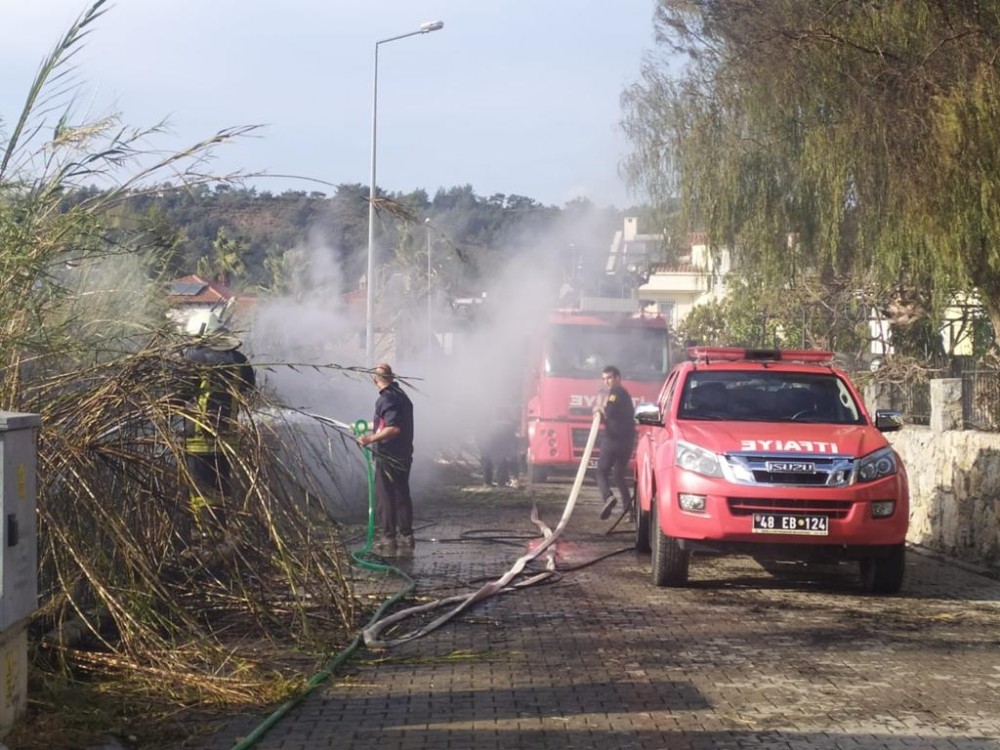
{"x":578,"y":351}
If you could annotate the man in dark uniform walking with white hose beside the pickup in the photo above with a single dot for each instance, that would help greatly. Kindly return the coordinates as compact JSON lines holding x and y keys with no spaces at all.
{"x":617,"y":440}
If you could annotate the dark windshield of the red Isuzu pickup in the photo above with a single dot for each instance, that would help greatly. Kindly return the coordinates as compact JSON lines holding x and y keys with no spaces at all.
{"x":768,"y":396}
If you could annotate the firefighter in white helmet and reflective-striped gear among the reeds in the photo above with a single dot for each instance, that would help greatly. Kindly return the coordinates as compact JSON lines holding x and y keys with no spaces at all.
{"x":219,"y":376}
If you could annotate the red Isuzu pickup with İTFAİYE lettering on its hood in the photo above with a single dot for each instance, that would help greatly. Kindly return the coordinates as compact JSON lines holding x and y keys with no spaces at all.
{"x":771,"y":454}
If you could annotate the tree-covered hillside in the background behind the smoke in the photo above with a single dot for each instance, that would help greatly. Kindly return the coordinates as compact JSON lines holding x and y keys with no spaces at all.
{"x":247,"y":238}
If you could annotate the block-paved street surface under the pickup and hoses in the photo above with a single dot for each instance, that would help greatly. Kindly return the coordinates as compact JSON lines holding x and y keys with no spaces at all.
{"x":795,"y":657}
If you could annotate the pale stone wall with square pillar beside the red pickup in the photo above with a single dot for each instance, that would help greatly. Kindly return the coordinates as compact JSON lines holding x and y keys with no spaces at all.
{"x":954,"y":480}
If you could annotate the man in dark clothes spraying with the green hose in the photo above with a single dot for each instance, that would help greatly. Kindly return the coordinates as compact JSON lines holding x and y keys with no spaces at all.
{"x":391,"y":441}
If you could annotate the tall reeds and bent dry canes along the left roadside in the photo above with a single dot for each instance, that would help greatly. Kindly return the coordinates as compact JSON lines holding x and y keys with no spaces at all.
{"x":85,"y":344}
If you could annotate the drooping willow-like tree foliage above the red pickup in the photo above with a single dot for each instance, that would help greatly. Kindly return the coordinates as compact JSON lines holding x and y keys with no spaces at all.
{"x":864,"y":130}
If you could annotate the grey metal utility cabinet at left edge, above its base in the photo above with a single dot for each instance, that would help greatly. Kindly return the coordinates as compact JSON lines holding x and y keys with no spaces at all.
{"x":18,"y":480}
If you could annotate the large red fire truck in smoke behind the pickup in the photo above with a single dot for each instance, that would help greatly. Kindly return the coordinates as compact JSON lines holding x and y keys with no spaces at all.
{"x":565,"y":378}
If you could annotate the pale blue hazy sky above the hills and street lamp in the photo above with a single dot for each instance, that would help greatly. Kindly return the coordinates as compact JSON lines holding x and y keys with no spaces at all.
{"x":511,"y":96}
